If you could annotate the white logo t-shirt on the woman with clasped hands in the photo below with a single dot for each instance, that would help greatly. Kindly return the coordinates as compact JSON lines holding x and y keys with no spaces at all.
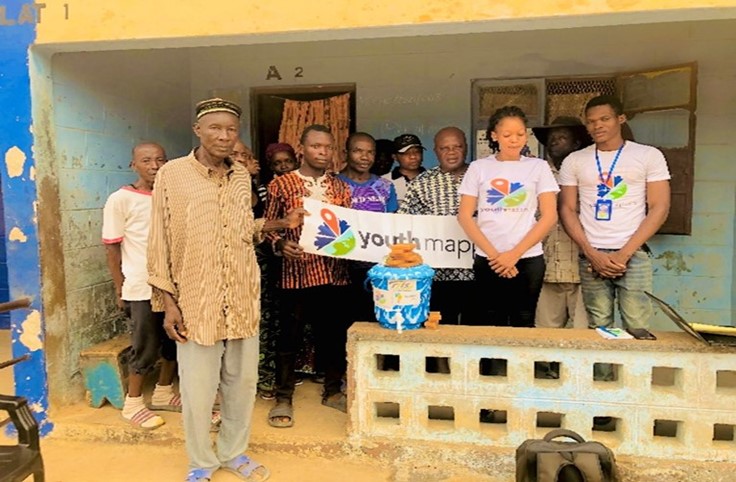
{"x":507,"y":198}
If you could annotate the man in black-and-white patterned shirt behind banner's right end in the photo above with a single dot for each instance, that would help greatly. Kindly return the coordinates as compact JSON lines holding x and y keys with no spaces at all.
{"x":434,"y":192}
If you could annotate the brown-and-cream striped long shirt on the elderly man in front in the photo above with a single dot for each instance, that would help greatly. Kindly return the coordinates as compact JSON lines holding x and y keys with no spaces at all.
{"x":201,"y":249}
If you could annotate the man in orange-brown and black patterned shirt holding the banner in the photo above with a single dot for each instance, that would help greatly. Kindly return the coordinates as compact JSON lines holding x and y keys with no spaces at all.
{"x":313,"y":288}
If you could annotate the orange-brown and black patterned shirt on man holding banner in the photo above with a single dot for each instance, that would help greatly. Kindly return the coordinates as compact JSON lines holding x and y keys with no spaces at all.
{"x":286,"y":193}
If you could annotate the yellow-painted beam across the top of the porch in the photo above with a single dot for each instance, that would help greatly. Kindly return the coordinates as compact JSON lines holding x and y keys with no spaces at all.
{"x":90,"y":21}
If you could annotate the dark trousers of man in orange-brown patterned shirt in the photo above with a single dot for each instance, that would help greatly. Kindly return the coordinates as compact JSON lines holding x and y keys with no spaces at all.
{"x":326,"y":307}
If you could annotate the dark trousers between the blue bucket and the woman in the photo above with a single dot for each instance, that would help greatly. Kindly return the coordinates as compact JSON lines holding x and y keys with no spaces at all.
{"x":451,"y":299}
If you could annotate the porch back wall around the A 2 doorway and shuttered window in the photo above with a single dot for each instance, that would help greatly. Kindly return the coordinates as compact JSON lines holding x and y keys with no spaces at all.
{"x":420,"y":84}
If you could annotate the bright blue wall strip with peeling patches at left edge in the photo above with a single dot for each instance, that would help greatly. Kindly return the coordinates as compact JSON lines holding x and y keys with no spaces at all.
{"x":19,"y":196}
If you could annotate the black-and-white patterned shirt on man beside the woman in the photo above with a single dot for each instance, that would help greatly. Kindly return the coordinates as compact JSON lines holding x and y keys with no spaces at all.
{"x":434,"y":192}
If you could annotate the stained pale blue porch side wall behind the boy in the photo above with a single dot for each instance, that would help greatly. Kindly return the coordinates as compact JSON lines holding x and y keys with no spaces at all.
{"x":103,"y":104}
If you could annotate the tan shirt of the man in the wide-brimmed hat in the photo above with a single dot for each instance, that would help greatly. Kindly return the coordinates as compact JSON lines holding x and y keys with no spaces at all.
{"x":560,"y":254}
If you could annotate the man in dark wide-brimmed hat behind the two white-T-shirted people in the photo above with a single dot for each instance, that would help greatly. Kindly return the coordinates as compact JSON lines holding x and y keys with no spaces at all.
{"x":560,"y":300}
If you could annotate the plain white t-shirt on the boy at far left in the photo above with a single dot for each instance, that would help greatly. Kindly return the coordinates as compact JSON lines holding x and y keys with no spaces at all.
{"x":125,"y":220}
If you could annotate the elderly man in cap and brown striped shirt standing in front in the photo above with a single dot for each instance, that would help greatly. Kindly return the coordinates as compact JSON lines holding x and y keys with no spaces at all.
{"x":205,"y":278}
